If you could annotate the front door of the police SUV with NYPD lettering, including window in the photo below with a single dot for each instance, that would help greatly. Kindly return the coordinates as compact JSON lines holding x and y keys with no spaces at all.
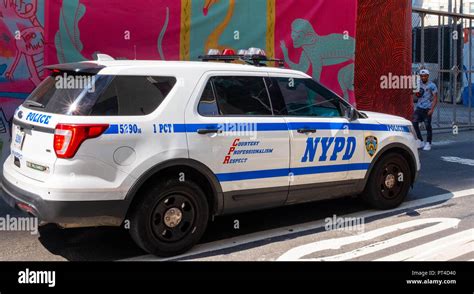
{"x":322,"y":145}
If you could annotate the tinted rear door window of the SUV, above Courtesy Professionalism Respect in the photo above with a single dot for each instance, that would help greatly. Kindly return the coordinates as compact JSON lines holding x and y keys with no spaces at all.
{"x":235,"y":95}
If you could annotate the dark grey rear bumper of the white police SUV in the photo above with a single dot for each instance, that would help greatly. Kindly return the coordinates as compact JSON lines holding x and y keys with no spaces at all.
{"x":65,"y":213}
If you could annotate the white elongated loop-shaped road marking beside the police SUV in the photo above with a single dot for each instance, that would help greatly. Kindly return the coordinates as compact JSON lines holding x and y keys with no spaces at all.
{"x":301,"y":251}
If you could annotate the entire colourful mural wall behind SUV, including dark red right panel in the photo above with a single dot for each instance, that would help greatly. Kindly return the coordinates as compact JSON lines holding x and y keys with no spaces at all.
{"x":317,"y":37}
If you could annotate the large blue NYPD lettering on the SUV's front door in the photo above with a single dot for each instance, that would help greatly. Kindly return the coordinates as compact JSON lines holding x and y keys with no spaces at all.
{"x":329,"y":148}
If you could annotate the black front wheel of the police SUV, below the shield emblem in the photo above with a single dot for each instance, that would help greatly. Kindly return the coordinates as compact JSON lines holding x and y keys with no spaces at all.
{"x":385,"y":188}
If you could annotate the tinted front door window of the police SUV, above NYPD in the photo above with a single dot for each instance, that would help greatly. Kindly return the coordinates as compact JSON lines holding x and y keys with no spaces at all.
{"x":305,"y":97}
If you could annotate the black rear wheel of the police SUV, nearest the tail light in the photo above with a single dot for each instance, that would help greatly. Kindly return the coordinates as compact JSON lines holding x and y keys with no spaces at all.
{"x":147,"y":218}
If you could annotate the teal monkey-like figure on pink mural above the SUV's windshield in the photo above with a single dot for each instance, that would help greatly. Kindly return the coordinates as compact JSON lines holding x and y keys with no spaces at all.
{"x":320,"y":51}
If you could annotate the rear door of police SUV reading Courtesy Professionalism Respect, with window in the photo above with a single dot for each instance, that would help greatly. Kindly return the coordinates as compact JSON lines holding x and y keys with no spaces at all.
{"x":230,"y":128}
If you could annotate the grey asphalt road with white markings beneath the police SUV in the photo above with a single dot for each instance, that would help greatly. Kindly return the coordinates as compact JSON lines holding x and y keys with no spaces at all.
{"x":435,"y":223}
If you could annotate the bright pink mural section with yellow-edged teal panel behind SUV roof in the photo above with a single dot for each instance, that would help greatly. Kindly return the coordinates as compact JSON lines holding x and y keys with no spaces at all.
{"x":305,"y":34}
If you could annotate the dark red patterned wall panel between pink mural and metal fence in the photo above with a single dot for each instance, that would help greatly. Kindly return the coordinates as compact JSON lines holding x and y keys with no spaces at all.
{"x":383,"y":47}
